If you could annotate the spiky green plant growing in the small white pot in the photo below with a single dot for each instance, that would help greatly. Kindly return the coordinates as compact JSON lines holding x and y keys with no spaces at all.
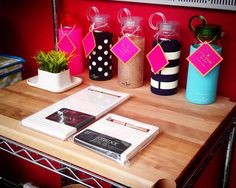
{"x":52,"y":61}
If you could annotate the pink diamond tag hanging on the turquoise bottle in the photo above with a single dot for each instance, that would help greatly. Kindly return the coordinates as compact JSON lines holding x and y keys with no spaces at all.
{"x":204,"y":59}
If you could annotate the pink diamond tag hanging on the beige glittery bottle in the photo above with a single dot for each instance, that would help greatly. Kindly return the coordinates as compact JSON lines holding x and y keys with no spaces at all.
{"x":125,"y":49}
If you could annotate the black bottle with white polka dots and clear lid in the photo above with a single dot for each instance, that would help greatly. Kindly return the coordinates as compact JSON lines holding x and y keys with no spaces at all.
{"x":100,"y":59}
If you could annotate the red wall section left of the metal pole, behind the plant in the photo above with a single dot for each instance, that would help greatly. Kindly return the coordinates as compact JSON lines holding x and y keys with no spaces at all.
{"x":26,"y":27}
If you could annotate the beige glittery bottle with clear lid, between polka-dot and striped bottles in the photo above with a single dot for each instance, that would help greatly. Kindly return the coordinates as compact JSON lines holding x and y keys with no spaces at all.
{"x":130,"y":74}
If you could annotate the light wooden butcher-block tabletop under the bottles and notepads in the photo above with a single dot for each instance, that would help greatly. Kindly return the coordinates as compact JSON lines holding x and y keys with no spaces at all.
{"x":185,"y":128}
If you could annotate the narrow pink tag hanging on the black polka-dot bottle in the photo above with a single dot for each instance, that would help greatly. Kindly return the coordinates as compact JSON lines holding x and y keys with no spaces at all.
{"x":89,"y":43}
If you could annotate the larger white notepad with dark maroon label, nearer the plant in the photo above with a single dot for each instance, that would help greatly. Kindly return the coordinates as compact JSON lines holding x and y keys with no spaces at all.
{"x":64,"y":118}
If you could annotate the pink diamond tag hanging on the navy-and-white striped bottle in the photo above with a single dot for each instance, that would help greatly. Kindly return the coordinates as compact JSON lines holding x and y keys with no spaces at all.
{"x":157,"y":58}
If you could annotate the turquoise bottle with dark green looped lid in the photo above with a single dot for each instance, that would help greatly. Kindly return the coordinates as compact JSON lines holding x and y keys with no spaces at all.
{"x":202,"y":89}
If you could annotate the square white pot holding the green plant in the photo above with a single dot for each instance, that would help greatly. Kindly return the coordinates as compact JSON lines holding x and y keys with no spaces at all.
{"x":54,"y":81}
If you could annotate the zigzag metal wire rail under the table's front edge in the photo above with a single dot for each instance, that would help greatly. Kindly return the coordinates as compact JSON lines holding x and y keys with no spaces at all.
{"x":65,"y":169}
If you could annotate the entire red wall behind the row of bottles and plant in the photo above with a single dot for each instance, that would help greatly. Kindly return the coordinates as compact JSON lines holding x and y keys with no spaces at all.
{"x":26,"y":27}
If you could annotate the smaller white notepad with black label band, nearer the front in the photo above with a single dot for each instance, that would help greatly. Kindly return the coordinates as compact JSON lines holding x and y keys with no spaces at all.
{"x":117,"y":137}
